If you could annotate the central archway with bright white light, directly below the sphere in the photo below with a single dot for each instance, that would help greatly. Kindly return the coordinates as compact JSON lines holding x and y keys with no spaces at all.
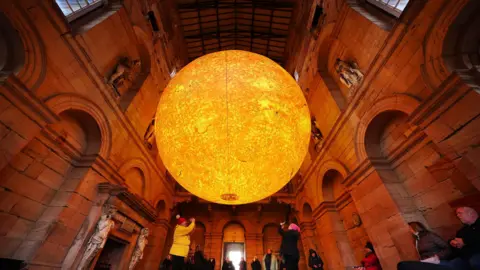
{"x":234,"y":243}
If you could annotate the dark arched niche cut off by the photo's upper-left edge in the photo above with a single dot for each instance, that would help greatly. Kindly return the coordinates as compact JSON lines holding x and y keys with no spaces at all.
{"x":12,"y":52}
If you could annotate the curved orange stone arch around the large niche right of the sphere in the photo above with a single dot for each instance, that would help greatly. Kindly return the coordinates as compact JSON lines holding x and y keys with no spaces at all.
{"x":400,"y":103}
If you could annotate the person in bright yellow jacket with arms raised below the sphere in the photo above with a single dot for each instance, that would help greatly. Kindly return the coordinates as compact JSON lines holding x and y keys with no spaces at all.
{"x":181,"y":242}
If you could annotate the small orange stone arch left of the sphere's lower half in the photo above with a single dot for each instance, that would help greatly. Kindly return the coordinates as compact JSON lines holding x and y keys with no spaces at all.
{"x":137,"y":169}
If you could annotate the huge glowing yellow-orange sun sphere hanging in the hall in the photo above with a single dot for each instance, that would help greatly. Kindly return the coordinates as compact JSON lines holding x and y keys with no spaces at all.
{"x":232,"y":127}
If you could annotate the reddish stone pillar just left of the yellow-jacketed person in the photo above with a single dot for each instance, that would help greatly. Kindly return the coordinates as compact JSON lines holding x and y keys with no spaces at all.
{"x":152,"y":257}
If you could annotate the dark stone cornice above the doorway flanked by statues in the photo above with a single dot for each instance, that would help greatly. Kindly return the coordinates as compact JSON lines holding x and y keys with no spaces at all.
{"x":133,"y":201}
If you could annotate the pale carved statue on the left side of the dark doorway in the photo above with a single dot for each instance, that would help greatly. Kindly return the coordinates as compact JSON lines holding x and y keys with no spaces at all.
{"x":99,"y":237}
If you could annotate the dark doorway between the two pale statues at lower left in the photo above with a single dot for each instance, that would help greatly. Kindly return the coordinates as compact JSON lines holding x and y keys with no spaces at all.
{"x":111,"y":255}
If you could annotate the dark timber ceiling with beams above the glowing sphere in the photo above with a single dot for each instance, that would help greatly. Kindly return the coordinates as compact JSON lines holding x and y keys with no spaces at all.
{"x":259,"y":26}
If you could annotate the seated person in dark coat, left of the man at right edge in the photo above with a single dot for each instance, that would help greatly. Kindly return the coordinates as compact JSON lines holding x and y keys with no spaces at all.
{"x":430,"y":246}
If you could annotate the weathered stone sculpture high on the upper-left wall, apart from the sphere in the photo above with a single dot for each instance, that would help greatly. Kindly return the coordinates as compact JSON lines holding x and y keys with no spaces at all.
{"x":123,"y":75}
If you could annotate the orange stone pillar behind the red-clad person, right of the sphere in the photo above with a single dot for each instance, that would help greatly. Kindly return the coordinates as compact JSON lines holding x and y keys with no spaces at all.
{"x":335,"y":247}
